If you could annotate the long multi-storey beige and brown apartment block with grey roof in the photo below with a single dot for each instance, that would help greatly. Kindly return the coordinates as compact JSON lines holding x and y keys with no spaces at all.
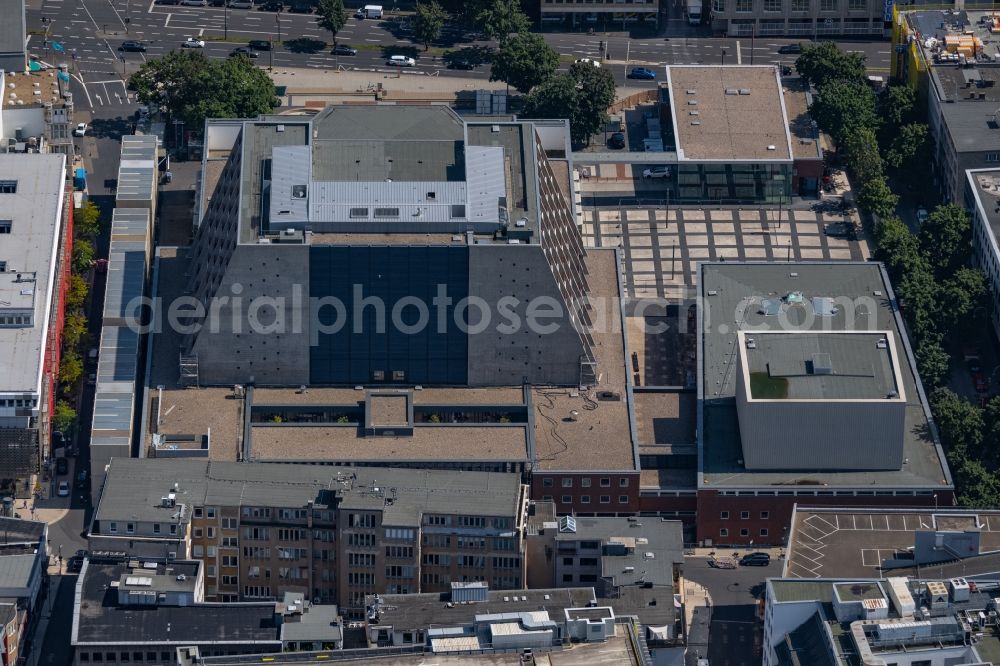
{"x":330,"y":534}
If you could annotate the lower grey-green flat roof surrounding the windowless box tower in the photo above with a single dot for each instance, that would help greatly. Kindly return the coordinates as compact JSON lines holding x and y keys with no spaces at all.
{"x":733,"y":296}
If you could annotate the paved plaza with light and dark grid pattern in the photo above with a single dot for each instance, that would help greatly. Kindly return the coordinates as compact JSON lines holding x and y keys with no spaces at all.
{"x":663,"y":246}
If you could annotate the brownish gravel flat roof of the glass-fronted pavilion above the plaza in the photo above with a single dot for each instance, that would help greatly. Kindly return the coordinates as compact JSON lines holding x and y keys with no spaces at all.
{"x":728,"y":113}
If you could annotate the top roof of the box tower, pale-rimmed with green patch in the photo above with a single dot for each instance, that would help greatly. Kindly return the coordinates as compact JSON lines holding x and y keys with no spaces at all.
{"x":819,"y":366}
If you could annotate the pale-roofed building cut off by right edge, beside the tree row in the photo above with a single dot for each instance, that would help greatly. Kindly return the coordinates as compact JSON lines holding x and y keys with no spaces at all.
{"x":982,"y":200}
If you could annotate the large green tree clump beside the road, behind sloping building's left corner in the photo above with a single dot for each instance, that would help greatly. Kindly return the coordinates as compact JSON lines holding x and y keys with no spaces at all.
{"x":191,"y":87}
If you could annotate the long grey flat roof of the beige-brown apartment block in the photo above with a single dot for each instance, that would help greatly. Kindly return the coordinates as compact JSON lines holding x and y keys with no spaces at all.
{"x":134,"y":487}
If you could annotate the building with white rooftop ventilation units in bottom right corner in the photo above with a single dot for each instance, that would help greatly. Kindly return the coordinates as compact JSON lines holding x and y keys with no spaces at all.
{"x":896,"y":620}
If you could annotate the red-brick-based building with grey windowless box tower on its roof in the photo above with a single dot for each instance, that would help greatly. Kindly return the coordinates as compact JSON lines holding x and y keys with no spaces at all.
{"x":817,"y":353}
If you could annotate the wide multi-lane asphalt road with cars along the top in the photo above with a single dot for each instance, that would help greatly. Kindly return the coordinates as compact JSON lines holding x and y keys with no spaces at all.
{"x":90,"y":32}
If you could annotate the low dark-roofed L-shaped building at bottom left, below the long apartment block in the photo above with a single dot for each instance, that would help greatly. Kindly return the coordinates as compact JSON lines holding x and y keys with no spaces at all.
{"x":132,"y":611}
